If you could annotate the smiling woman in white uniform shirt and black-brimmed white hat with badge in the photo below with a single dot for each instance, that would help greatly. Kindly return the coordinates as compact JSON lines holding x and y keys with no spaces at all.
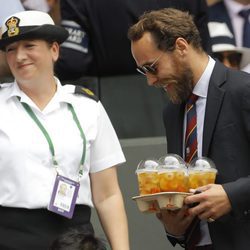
{"x":52,"y":136}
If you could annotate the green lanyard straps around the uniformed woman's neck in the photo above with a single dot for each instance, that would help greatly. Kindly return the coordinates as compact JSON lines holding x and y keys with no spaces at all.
{"x":46,"y":135}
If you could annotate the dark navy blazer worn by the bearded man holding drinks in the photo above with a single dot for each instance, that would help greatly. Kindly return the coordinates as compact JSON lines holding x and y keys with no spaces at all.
{"x":226,"y":140}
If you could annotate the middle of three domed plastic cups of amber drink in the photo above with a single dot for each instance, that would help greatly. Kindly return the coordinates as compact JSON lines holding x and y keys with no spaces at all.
{"x":172,"y":174}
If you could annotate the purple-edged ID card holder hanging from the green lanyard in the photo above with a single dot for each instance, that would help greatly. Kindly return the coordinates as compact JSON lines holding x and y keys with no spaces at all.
{"x":64,"y":195}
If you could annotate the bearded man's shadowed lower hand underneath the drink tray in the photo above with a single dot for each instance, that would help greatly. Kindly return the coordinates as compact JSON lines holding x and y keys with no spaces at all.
{"x":175,"y":222}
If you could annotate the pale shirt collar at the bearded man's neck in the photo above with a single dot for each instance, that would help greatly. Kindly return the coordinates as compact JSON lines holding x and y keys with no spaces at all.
{"x":201,"y":87}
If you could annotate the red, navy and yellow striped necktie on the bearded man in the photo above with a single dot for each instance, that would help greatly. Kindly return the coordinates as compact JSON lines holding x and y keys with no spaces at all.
{"x":191,"y":129}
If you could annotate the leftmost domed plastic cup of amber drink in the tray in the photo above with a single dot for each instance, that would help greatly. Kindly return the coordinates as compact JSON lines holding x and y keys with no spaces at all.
{"x":148,"y":177}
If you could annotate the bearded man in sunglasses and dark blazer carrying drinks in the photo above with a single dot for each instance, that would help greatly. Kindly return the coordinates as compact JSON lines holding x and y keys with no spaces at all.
{"x":166,"y":47}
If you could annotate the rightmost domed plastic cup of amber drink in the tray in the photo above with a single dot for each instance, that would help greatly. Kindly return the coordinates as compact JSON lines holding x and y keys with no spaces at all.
{"x":202,"y":172}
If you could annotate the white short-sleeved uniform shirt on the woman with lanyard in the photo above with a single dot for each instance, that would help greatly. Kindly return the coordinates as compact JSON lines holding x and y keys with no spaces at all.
{"x":26,"y":169}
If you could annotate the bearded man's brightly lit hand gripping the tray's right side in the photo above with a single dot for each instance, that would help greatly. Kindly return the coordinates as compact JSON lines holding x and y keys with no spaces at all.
{"x":212,"y":202}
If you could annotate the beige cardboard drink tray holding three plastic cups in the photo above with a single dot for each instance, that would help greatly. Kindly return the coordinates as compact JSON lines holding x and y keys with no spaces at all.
{"x":152,"y":203}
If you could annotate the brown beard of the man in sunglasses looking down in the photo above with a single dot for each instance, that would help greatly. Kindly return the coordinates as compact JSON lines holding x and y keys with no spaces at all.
{"x":180,"y":86}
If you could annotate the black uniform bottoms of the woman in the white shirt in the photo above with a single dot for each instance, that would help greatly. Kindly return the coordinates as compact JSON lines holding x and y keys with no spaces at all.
{"x":35,"y":229}
